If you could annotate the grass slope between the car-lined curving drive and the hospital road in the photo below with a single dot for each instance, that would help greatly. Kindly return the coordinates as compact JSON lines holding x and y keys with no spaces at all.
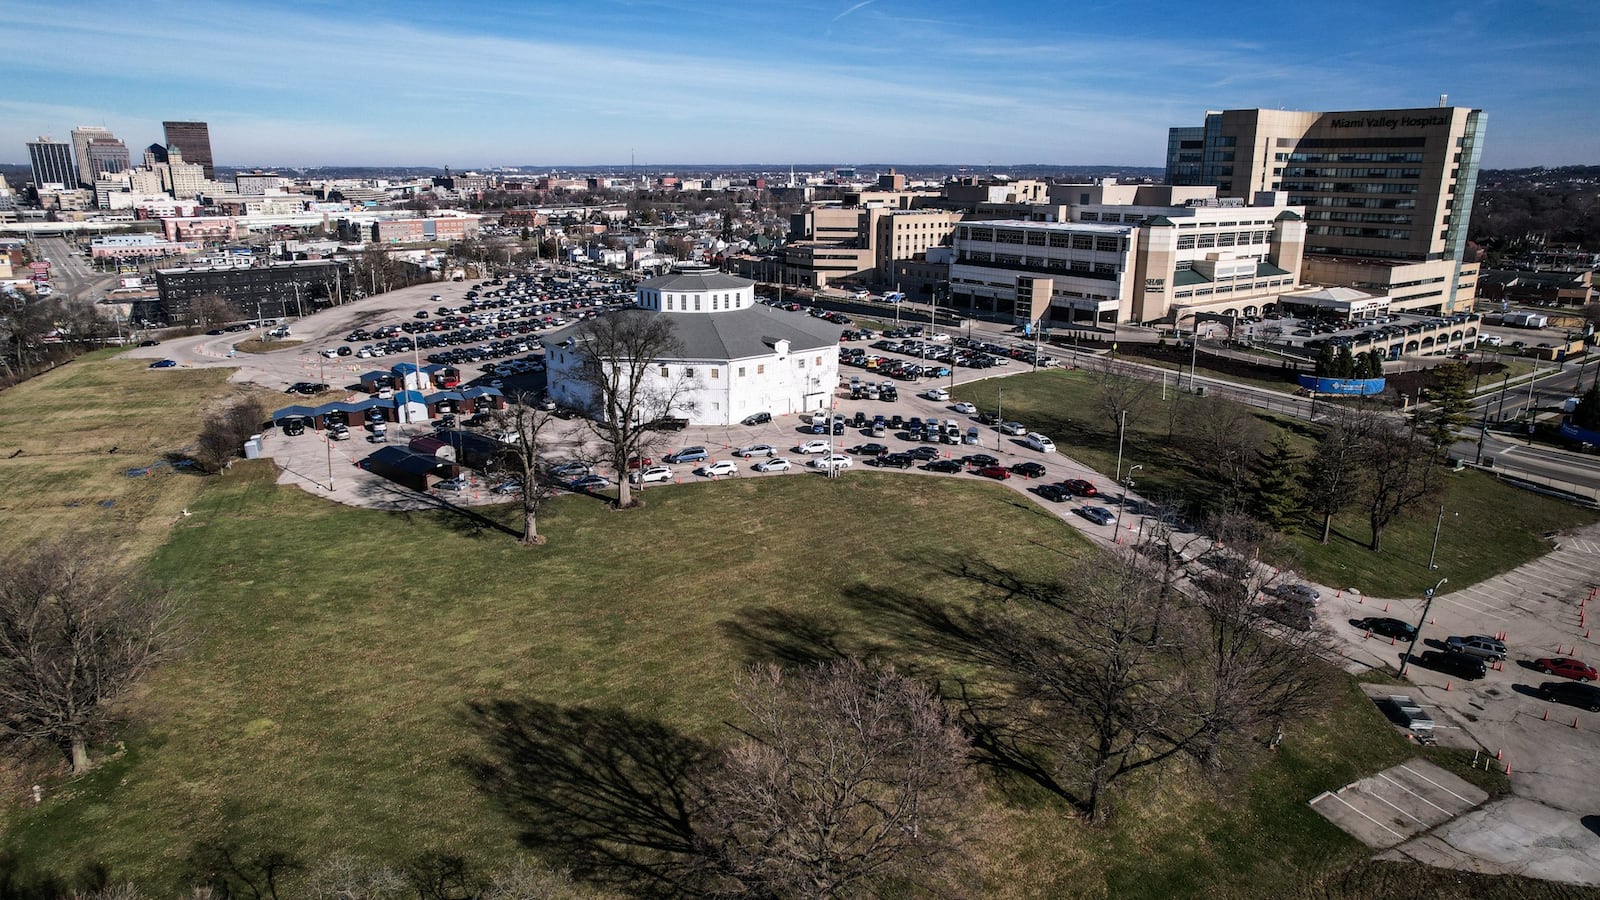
{"x":1489,"y":528}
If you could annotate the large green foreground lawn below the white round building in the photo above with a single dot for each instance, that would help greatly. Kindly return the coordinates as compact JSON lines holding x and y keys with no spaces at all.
{"x":326,"y":704}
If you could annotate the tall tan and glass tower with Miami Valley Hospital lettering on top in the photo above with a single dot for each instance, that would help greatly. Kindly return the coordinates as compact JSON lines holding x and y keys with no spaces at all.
{"x":1388,"y":195}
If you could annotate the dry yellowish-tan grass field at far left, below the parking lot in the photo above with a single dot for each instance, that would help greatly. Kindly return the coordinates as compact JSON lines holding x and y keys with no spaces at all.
{"x":70,"y":440}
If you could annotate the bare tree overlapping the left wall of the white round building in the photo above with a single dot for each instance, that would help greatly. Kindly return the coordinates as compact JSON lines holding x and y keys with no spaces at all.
{"x":628,"y":385}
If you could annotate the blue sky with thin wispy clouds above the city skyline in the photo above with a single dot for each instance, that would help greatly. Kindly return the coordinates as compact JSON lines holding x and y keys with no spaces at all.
{"x":998,"y":82}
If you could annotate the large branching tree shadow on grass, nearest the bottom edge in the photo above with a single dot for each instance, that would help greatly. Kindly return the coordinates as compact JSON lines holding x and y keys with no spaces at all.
{"x":606,"y":794}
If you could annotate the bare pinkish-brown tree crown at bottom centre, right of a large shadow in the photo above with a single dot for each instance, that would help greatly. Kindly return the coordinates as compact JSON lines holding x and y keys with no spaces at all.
{"x":852,"y":782}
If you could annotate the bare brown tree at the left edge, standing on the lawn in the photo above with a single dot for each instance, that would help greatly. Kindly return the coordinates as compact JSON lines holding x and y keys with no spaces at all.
{"x":76,"y":633}
